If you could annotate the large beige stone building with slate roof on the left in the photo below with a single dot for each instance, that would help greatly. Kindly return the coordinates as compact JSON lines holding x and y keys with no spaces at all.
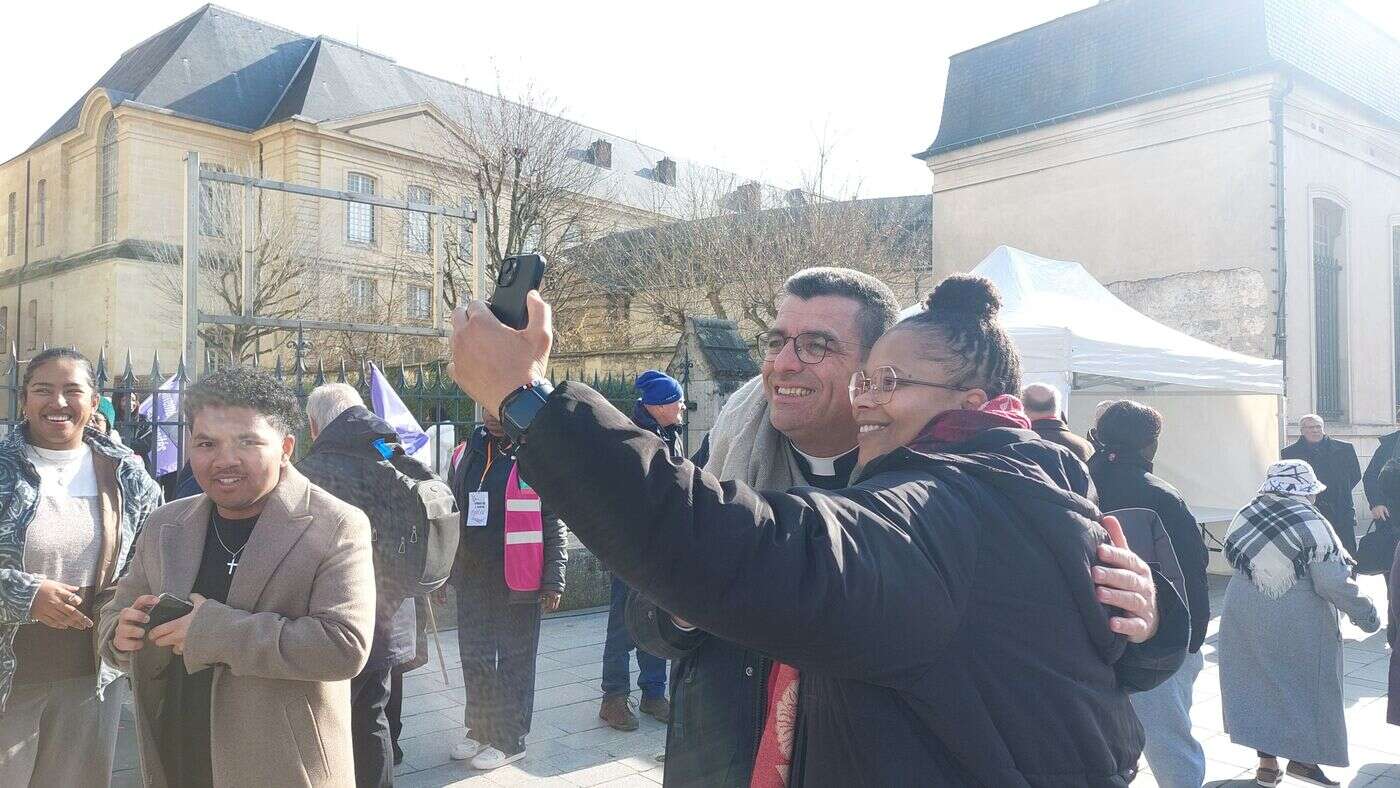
{"x":86,"y":208}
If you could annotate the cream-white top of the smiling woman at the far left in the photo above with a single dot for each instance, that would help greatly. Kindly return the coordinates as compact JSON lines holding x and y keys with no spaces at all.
{"x":65,"y":541}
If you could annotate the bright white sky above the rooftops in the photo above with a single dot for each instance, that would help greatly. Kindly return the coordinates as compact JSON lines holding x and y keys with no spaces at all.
{"x":751,"y":87}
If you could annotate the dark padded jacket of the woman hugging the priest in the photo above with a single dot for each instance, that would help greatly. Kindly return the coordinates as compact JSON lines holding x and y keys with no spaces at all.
{"x":941,"y":611}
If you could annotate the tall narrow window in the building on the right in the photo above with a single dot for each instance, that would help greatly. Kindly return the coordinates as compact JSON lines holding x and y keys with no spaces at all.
{"x":1329,"y":239}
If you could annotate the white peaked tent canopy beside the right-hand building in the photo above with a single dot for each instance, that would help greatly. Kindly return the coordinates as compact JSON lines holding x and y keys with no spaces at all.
{"x":1063,"y":321}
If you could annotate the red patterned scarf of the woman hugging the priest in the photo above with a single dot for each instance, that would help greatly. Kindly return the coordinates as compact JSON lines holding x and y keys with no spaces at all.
{"x":773,"y":762}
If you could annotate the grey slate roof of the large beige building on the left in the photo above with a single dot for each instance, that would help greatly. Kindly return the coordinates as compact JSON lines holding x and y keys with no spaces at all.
{"x":223,"y":68}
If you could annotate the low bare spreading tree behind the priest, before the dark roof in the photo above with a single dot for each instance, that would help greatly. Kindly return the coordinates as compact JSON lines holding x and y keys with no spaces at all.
{"x":737,"y":243}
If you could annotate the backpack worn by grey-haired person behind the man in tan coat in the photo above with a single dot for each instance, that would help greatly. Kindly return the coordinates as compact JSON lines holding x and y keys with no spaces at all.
{"x":412,"y":555}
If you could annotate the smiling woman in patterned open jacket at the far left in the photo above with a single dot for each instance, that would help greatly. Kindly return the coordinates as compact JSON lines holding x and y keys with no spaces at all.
{"x":71,"y":506}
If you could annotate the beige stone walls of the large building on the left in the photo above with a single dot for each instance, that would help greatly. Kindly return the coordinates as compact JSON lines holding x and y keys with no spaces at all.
{"x":99,"y":297}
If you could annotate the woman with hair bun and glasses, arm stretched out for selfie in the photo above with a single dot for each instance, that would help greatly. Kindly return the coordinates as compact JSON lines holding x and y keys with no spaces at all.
{"x":940,"y":617}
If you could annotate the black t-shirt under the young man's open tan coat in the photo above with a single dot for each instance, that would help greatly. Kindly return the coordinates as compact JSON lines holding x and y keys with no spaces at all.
{"x":185,"y":752}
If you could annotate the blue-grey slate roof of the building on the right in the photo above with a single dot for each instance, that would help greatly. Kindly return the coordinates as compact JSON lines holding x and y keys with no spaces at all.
{"x":1123,"y":51}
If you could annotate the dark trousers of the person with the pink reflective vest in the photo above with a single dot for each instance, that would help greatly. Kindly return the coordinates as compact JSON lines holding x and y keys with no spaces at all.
{"x":499,"y":640}
